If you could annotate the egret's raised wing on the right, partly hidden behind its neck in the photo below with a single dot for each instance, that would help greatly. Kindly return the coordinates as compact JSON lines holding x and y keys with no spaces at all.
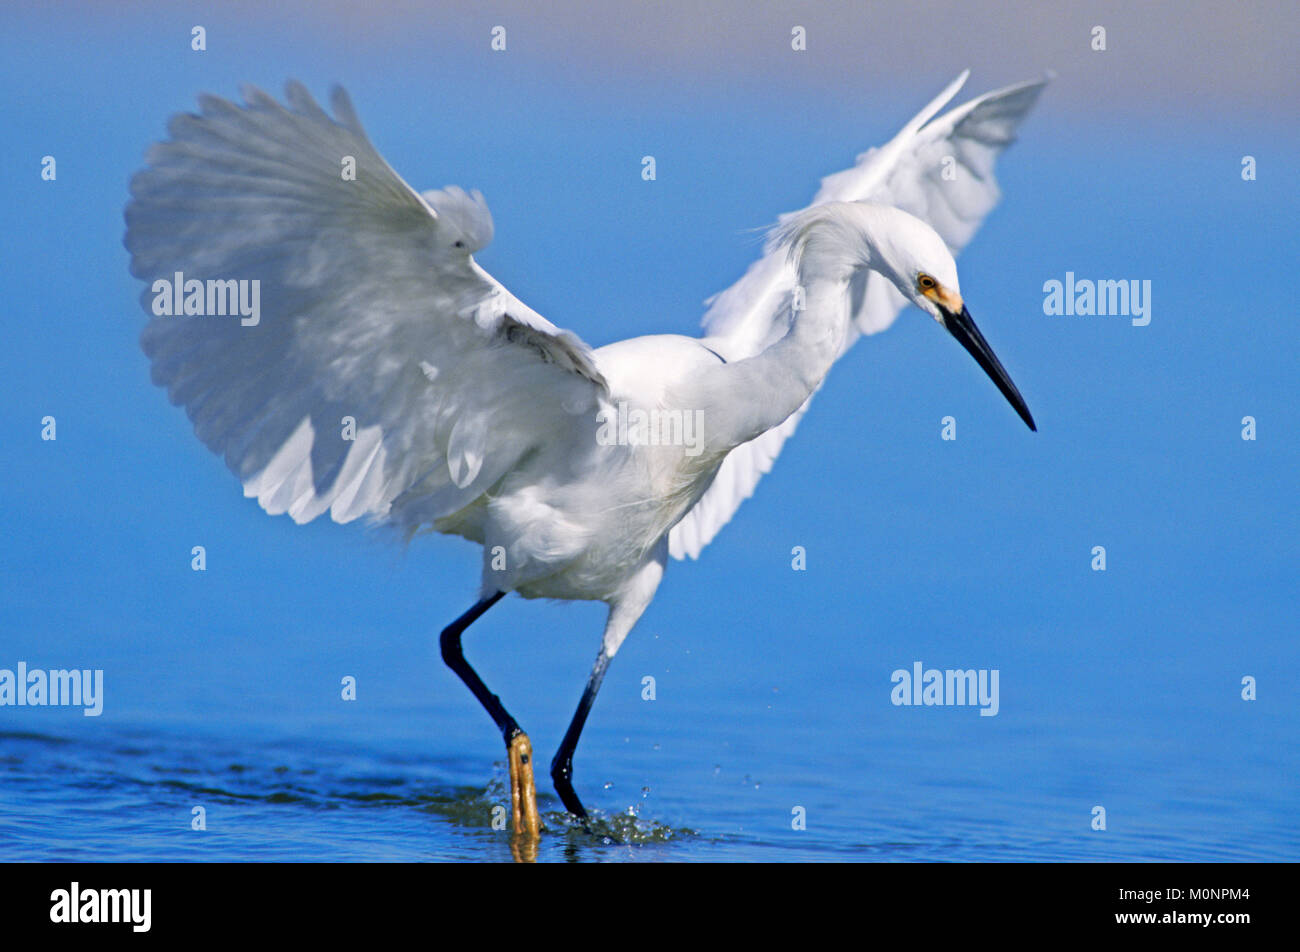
{"x":939,"y":170}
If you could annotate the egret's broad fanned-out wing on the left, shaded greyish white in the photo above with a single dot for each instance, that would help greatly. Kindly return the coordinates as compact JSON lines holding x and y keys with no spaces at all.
{"x":383,"y":371}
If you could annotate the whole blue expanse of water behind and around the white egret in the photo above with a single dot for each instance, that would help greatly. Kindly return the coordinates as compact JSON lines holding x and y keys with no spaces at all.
{"x":1119,"y":689}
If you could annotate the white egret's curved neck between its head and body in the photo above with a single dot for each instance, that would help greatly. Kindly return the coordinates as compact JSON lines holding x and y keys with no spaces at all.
{"x":747,"y":399}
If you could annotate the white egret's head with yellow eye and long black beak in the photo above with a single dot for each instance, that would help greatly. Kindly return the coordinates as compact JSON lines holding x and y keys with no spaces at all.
{"x":839,"y":239}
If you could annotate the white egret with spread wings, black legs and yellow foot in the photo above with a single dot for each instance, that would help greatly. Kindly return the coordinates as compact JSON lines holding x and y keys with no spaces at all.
{"x":579,"y":471}
